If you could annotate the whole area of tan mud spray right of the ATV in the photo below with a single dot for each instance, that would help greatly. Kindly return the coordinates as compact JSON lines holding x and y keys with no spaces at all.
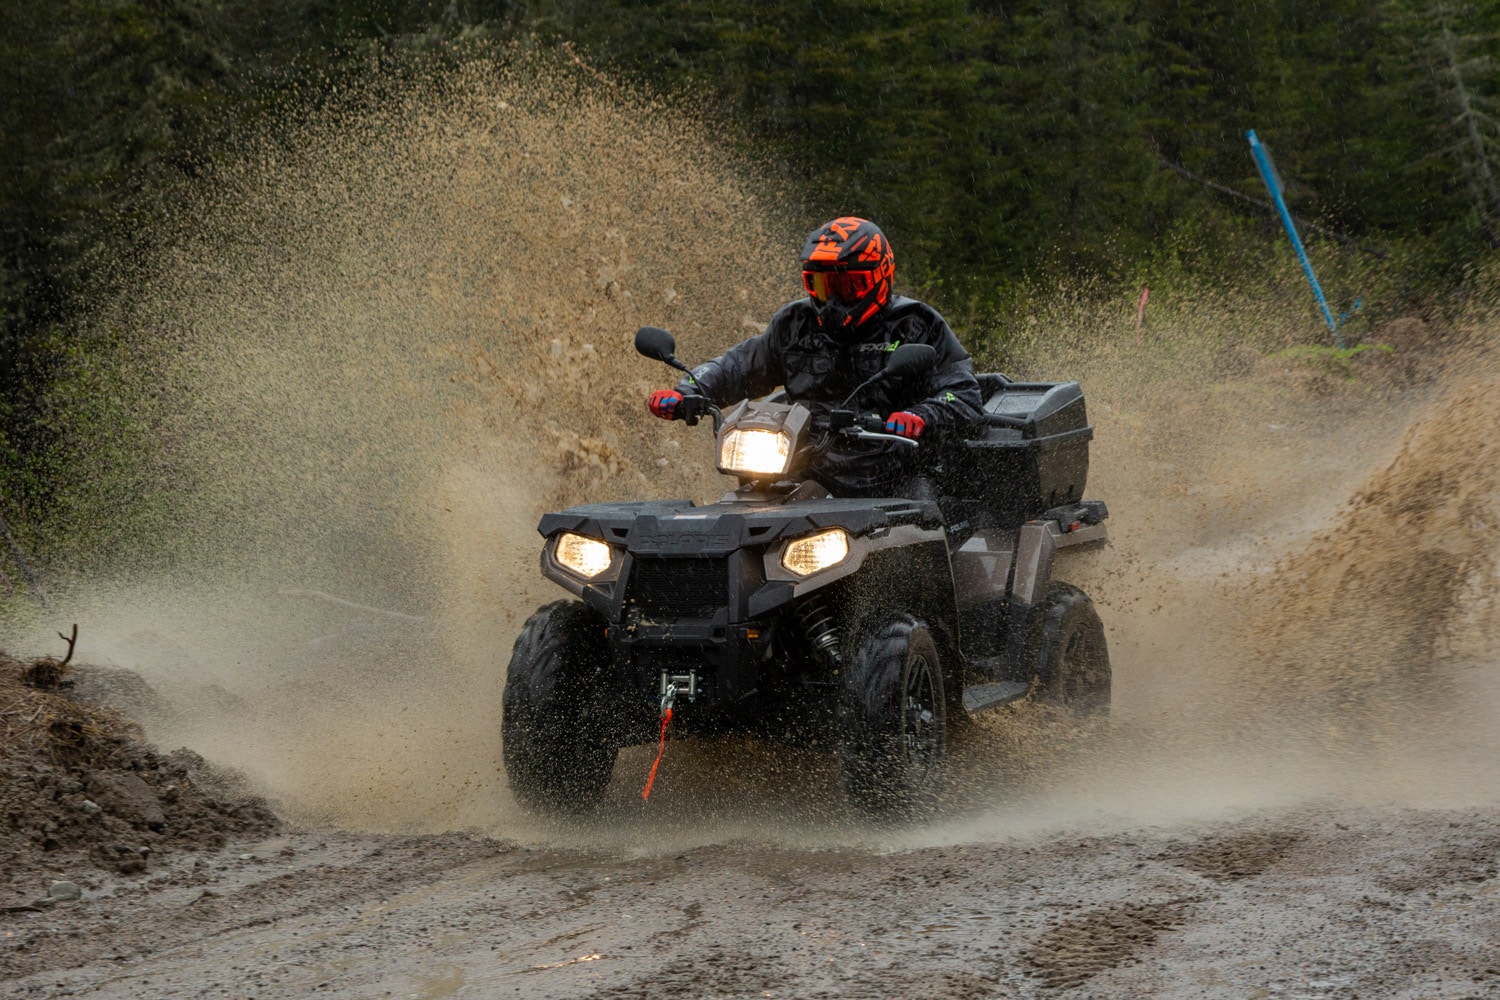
{"x":1301,"y":599}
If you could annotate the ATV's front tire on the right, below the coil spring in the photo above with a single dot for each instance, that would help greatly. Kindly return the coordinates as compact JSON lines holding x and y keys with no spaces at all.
{"x":895,"y":720}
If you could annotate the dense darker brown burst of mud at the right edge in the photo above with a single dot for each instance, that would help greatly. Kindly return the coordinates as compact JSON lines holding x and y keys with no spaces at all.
{"x":1364,"y":617}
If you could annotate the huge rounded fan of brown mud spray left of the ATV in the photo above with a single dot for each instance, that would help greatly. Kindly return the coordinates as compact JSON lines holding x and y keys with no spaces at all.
{"x":368,"y":355}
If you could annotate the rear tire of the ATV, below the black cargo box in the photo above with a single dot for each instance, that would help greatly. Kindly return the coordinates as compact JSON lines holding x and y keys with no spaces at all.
{"x":1073,"y":663}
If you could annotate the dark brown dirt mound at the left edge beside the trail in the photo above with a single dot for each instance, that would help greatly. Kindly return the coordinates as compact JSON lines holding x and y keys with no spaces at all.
{"x":80,"y":789}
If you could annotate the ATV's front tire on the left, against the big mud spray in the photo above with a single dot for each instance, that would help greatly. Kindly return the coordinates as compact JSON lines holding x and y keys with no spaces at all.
{"x":557,"y":743}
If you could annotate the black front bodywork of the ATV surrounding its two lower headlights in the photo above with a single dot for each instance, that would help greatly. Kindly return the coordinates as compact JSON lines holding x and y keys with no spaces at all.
{"x":703,"y":590}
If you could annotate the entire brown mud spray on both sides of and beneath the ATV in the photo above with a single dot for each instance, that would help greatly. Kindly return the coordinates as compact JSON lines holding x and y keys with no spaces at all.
{"x":389,"y":337}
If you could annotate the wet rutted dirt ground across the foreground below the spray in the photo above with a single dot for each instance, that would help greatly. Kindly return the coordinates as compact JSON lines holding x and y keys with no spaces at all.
{"x":1295,"y":905}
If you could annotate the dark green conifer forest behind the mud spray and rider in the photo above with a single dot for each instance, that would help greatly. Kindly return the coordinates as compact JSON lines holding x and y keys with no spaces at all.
{"x":1004,"y":146}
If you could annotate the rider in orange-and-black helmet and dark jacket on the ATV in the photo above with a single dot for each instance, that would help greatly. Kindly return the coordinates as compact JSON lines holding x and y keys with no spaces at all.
{"x":826,"y":346}
